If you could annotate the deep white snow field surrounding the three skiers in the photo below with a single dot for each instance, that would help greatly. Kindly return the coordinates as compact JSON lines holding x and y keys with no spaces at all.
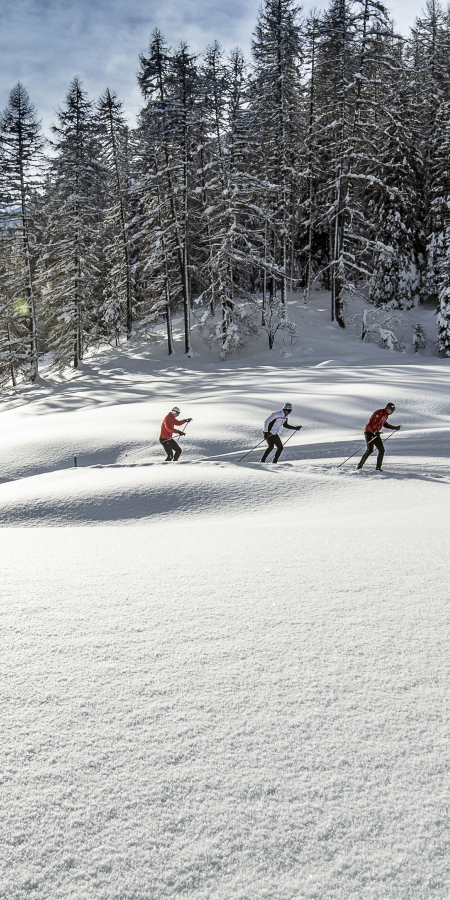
{"x":223,"y":680}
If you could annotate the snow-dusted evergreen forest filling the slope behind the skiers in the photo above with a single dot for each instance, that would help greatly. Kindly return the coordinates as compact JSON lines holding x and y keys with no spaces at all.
{"x":323,"y":160}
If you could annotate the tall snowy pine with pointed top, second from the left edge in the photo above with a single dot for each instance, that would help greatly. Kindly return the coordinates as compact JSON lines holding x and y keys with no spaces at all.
{"x":71,"y":264}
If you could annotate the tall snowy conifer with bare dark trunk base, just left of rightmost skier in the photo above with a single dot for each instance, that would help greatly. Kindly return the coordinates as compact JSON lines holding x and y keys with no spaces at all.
{"x":354,"y":58}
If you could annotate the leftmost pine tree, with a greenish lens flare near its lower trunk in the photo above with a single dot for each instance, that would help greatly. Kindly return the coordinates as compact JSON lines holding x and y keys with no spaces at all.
{"x":21,"y":147}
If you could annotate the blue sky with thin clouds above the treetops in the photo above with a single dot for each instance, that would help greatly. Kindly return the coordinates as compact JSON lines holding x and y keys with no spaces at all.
{"x":45,"y":43}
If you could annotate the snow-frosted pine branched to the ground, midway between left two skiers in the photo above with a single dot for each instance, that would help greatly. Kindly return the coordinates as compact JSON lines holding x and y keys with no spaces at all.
{"x":224,"y":215}
